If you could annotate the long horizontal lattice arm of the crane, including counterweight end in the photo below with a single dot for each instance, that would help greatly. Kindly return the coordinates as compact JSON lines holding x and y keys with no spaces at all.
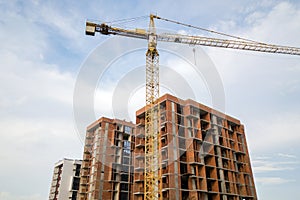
{"x":104,"y":29}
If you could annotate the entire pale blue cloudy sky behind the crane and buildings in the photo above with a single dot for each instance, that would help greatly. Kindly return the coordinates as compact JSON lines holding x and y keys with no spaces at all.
{"x":44,"y":54}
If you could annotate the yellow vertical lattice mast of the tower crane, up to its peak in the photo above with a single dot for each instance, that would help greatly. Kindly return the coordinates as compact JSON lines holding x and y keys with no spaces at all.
{"x":152,"y":182}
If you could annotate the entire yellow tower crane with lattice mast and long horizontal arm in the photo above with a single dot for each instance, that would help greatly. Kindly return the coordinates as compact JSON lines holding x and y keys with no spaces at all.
{"x":152,"y":176}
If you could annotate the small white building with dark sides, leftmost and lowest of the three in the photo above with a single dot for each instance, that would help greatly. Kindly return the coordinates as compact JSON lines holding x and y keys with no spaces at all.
{"x":65,"y":180}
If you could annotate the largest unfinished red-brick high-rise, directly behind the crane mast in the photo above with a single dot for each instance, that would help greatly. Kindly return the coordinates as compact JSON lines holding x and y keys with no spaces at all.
{"x":203,"y":155}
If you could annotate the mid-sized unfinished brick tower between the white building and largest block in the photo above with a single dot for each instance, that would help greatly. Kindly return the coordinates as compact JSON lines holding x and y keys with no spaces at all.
{"x":107,"y":170}
